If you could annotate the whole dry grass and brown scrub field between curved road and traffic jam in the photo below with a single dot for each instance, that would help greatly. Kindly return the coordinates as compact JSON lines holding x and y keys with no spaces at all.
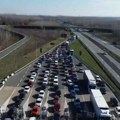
{"x":30,"y":50}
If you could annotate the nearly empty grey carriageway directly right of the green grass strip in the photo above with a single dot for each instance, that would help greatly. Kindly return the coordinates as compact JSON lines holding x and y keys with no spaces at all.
{"x":99,"y":54}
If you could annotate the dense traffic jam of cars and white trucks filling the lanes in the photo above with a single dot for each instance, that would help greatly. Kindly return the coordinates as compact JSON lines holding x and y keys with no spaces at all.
{"x":58,"y":78}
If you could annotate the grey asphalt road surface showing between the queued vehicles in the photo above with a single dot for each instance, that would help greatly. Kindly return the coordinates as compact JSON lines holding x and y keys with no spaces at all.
{"x":17,"y":82}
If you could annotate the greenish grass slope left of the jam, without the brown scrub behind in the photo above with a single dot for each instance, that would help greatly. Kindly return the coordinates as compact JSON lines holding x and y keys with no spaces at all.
{"x":18,"y":58}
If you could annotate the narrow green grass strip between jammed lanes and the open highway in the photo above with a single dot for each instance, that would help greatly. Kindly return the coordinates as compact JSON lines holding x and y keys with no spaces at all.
{"x":90,"y":62}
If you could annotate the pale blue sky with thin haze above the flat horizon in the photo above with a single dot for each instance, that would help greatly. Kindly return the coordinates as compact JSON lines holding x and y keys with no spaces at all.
{"x":62,"y":7}
